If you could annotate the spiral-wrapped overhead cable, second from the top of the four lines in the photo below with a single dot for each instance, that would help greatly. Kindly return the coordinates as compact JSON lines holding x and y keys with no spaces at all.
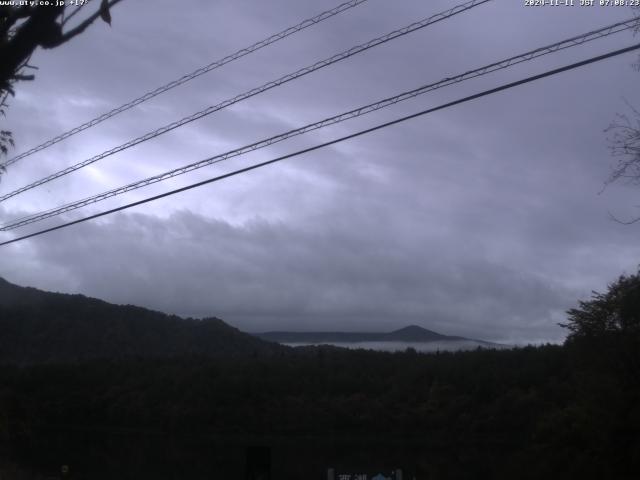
{"x":255,"y":91}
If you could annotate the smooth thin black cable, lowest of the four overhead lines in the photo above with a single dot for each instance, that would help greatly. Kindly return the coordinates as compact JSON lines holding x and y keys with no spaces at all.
{"x":337,"y":140}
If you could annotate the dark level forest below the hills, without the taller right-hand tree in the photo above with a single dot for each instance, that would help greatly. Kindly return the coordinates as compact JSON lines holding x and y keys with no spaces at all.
{"x":507,"y":414}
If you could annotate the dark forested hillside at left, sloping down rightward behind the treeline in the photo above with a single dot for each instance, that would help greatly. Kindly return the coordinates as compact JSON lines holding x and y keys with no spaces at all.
{"x":37,"y":326}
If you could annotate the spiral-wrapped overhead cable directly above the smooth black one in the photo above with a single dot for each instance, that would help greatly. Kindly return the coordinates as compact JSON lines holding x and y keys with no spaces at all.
{"x":514,"y":60}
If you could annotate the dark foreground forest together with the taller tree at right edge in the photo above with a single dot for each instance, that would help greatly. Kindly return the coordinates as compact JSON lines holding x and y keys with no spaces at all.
{"x":570,"y":411}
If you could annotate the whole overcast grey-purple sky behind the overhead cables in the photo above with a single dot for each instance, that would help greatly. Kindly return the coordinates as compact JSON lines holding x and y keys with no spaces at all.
{"x":482,"y":220}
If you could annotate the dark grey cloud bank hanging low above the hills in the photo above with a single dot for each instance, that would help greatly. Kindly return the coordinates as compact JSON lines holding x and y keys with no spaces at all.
{"x":345,"y":269}
